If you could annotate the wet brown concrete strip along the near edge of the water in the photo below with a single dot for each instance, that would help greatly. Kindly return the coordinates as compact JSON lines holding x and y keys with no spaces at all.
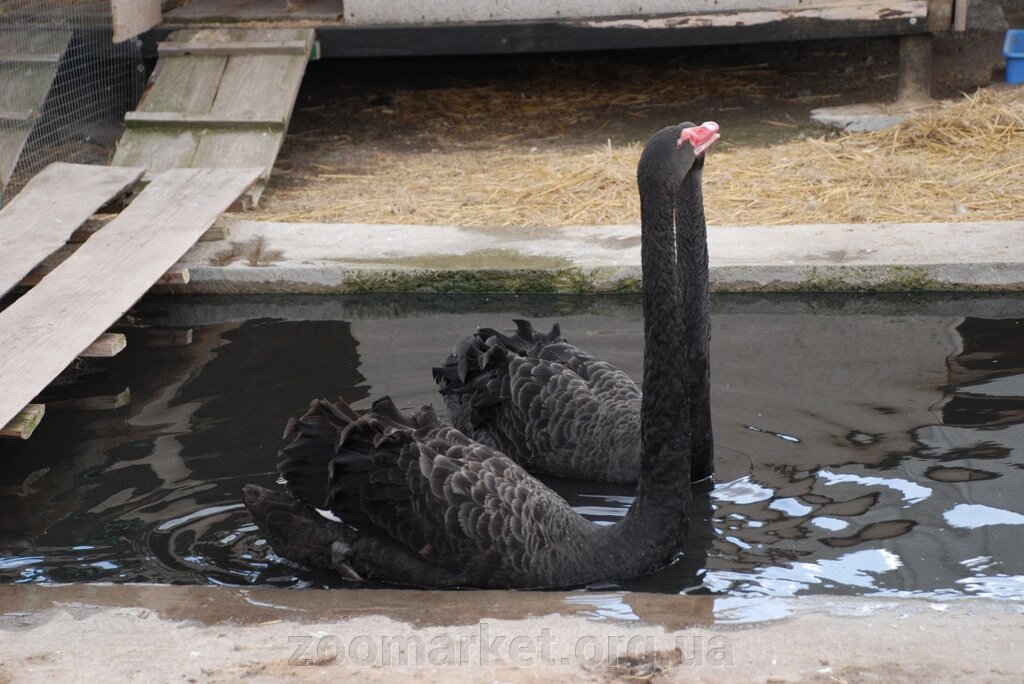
{"x":252,"y":606}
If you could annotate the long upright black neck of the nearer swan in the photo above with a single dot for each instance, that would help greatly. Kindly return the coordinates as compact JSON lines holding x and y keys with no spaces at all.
{"x":664,"y":494}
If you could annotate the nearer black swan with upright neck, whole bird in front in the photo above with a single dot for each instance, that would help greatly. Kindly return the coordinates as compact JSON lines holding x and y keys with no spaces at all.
{"x":405,"y":500}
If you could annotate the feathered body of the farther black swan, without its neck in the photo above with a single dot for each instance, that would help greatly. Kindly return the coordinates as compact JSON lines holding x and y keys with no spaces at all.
{"x":545,"y":404}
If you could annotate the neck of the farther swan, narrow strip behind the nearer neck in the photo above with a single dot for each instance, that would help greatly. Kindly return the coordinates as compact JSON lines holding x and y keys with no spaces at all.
{"x":692,"y":238}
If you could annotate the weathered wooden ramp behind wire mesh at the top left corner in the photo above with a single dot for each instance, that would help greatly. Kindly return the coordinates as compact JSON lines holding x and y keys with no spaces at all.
{"x":29,"y":61}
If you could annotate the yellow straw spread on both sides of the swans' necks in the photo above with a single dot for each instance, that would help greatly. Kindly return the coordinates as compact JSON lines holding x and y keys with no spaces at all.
{"x":963,"y":162}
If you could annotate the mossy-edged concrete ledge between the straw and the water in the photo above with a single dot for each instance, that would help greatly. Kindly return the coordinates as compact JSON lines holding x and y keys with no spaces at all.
{"x":265,"y":258}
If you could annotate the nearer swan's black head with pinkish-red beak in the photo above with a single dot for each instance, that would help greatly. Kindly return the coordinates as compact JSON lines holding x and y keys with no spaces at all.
{"x":672,"y":153}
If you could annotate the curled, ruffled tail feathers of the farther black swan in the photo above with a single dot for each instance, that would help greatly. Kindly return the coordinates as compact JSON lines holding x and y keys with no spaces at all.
{"x":472,"y":378}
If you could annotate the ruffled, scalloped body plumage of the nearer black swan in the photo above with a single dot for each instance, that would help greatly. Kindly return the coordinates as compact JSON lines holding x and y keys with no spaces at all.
{"x":417,"y":488}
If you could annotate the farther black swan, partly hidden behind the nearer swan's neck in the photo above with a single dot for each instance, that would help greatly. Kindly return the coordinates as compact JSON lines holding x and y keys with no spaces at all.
{"x":556,"y":409}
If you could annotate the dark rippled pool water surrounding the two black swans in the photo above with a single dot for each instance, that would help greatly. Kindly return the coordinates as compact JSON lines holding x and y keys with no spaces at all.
{"x":870,"y":447}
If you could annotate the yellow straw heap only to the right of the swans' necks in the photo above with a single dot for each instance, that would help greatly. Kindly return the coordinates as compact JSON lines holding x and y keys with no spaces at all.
{"x":964,"y":162}
